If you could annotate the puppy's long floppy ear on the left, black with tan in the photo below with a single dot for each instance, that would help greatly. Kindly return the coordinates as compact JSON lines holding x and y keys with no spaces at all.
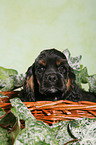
{"x":28,"y":86}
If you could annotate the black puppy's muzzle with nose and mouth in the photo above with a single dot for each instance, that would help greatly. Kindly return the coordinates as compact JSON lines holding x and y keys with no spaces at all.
{"x":52,"y":83}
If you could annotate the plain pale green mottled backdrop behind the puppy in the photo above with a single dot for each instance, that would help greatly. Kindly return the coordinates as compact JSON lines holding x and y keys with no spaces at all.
{"x":29,"y":26}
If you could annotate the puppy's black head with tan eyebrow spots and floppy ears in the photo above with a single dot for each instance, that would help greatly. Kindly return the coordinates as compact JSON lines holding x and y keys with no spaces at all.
{"x":50,"y":77}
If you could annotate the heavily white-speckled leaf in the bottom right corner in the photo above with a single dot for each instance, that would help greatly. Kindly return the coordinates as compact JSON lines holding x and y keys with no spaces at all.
{"x":84,"y":130}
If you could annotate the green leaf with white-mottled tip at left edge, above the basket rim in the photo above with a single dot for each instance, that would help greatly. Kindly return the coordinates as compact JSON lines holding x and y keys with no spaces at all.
{"x":10,"y":79}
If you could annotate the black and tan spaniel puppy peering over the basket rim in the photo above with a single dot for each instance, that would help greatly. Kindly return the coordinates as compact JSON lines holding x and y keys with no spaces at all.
{"x":51,"y":78}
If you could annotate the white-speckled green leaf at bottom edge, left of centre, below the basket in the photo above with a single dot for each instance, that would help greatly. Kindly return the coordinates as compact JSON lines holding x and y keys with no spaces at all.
{"x":36,"y":133}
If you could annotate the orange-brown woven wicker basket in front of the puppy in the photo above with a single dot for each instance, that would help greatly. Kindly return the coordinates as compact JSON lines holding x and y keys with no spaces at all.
{"x":54,"y":111}
